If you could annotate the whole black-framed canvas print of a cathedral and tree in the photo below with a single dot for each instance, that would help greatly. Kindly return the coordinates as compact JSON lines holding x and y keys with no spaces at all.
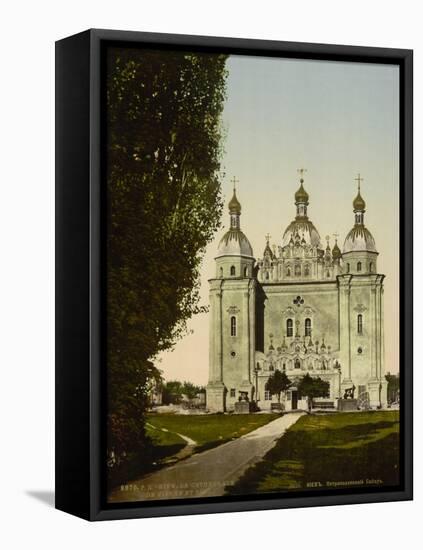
{"x":233,"y":274}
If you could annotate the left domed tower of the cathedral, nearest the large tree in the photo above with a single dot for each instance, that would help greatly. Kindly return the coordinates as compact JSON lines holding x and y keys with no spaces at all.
{"x":232,"y":317}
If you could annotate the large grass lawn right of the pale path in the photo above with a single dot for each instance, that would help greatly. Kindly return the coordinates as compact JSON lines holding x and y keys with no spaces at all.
{"x":320,"y":449}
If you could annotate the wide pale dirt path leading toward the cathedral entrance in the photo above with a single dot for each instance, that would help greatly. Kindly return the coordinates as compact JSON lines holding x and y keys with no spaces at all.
{"x":207,"y":473}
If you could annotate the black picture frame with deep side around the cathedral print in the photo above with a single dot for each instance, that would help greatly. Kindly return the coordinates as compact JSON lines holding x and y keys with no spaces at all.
{"x":80,"y":313}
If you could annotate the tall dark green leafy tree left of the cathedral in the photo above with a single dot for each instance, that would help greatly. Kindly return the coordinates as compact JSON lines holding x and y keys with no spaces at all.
{"x":163,"y":207}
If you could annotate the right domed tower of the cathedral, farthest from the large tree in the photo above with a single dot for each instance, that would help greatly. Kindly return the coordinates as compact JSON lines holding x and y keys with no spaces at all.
{"x":361,"y":312}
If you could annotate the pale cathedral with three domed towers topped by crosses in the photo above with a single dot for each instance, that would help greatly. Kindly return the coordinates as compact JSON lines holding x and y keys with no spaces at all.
{"x":303,"y":307}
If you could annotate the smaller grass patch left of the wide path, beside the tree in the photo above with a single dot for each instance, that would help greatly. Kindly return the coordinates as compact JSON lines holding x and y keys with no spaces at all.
{"x":210,"y":430}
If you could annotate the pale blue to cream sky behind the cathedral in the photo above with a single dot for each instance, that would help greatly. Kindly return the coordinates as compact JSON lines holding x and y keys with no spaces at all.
{"x":336,"y":120}
